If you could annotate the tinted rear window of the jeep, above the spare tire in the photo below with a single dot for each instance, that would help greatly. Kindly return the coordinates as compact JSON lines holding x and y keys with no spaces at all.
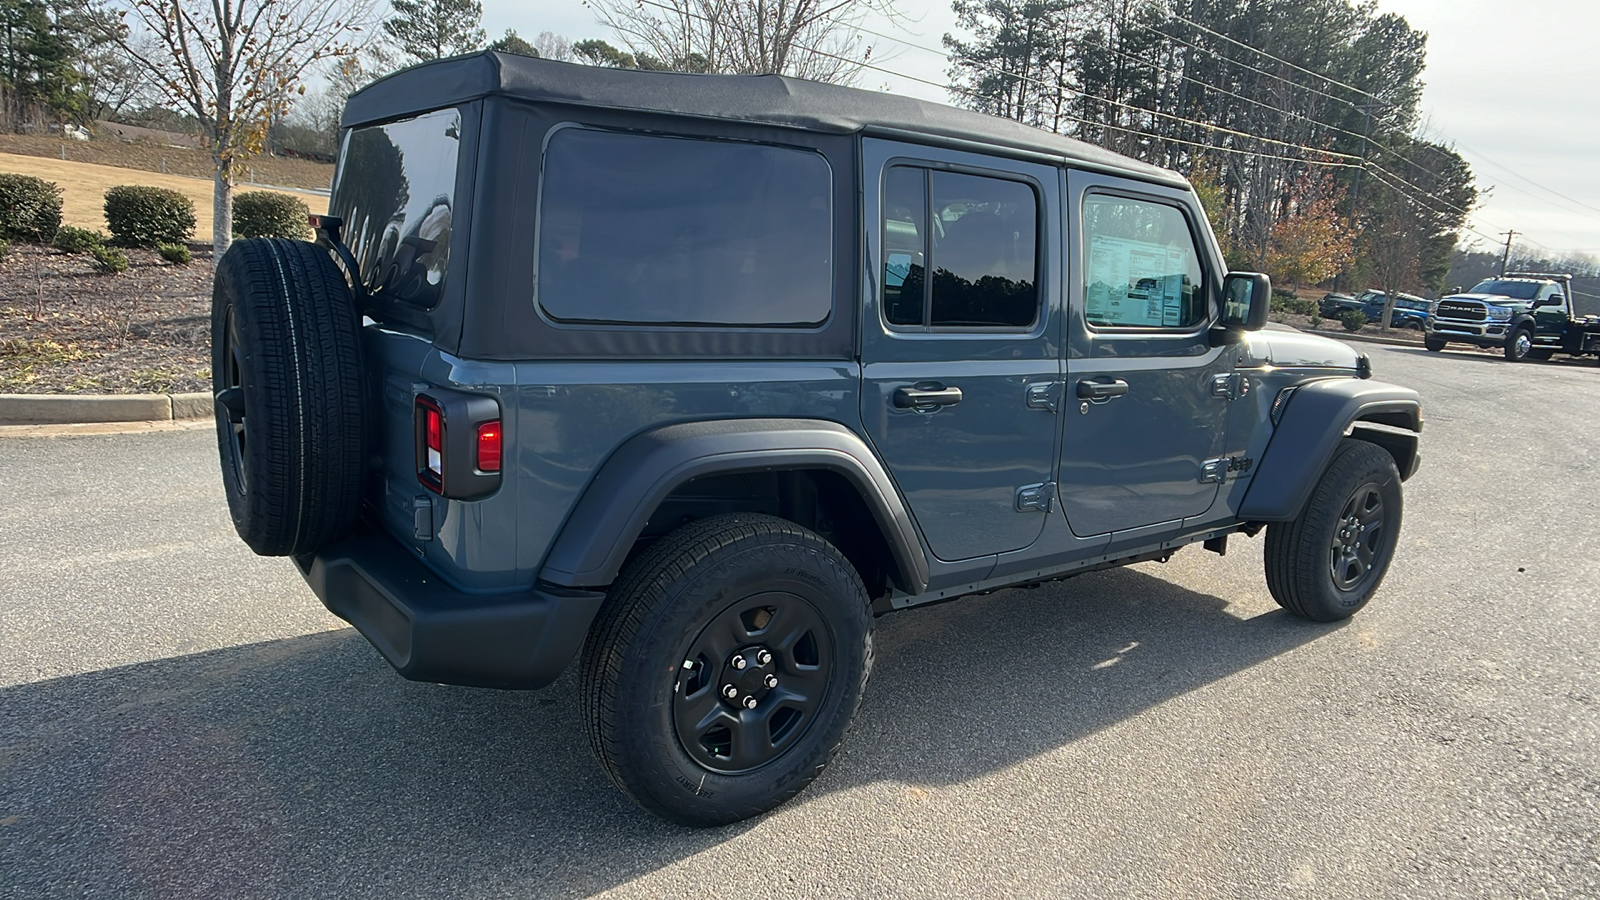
{"x":396,"y":195}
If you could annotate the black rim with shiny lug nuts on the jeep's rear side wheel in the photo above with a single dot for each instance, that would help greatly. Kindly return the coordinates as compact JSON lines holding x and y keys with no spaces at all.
{"x":753,"y":683}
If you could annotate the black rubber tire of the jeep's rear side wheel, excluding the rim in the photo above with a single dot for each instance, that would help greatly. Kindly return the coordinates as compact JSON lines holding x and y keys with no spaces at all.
{"x":633,"y":672}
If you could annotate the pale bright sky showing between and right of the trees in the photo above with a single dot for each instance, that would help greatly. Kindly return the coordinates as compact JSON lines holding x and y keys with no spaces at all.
{"x":1505,"y":84}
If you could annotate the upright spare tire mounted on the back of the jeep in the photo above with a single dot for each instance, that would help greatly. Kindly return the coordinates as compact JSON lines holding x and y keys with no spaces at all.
{"x":287,"y":379}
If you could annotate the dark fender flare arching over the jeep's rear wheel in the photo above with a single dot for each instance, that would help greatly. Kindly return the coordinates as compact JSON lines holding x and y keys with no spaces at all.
{"x":617,"y":505}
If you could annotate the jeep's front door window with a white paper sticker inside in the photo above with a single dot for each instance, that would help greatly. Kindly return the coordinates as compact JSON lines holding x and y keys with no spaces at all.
{"x":1142,"y":267}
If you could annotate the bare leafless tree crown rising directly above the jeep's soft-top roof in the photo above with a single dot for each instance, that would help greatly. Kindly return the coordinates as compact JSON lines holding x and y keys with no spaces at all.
{"x":812,"y":39}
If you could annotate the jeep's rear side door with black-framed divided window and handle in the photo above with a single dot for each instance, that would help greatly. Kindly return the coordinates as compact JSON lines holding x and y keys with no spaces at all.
{"x":961,"y":342}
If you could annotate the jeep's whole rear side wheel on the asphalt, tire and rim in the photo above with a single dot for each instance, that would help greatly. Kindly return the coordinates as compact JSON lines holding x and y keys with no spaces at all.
{"x":726,"y":669}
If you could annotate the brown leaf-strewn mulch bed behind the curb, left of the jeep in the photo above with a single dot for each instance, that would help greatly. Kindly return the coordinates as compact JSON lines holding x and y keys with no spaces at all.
{"x":65,"y":329}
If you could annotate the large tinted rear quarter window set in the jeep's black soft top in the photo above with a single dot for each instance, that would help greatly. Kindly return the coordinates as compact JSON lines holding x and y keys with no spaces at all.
{"x":674,"y":231}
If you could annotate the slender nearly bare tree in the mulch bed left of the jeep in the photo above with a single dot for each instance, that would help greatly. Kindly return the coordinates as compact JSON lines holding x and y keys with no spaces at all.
{"x":234,"y":65}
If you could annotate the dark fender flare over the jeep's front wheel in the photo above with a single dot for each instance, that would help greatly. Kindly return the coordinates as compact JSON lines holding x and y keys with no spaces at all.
{"x":1316,"y":417}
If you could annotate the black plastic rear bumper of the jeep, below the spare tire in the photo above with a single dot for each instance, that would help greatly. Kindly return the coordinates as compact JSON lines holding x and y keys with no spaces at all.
{"x":431,"y":632}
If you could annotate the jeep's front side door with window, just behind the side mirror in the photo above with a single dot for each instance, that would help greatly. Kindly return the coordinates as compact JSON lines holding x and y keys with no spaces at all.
{"x":1148,"y":393}
